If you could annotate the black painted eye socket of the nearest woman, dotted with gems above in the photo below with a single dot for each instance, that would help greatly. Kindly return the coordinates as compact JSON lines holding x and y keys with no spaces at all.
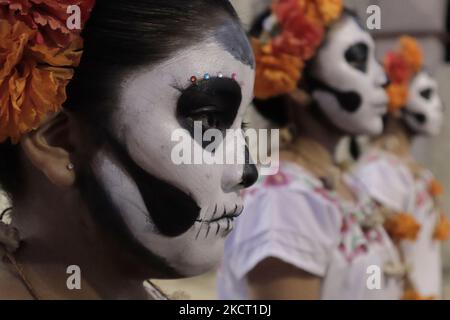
{"x":214,"y":103}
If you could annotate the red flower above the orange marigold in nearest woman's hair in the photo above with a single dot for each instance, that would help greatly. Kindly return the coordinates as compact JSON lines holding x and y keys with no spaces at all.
{"x":48,"y":17}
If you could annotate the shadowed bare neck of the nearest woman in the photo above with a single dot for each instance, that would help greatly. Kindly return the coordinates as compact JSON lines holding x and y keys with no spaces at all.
{"x":62,"y":233}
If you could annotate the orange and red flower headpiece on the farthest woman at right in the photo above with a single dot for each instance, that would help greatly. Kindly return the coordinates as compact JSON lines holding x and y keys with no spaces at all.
{"x":401,"y":66}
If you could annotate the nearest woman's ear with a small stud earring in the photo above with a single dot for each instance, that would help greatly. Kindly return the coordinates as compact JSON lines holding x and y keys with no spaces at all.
{"x":48,"y":149}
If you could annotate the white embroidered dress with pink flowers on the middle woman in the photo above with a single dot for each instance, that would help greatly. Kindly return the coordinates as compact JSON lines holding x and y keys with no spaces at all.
{"x":292,"y":217}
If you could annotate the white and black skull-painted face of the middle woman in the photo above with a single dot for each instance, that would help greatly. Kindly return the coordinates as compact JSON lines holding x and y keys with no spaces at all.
{"x":347,"y":81}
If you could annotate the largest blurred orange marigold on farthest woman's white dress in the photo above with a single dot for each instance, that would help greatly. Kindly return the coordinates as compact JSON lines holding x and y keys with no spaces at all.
{"x":402,"y":226}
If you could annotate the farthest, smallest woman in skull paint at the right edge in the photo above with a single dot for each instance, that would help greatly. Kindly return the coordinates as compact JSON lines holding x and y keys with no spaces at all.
{"x":409,"y":192}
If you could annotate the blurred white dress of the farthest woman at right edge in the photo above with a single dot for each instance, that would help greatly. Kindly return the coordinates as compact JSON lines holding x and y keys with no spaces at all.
{"x":390,"y":182}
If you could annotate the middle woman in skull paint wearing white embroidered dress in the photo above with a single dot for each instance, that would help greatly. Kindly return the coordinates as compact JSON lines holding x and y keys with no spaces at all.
{"x":304,"y":233}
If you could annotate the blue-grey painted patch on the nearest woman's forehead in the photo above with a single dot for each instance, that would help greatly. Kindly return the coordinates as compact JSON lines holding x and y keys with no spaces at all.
{"x":233,"y":39}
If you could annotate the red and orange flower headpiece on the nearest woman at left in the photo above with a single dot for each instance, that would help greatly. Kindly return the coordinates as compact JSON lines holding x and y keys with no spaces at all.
{"x":38,"y":54}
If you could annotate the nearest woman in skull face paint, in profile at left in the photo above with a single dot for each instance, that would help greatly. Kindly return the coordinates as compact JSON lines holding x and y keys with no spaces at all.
{"x":90,"y":174}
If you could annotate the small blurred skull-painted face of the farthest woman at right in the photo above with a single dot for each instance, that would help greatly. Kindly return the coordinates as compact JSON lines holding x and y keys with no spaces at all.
{"x":424,"y":111}
